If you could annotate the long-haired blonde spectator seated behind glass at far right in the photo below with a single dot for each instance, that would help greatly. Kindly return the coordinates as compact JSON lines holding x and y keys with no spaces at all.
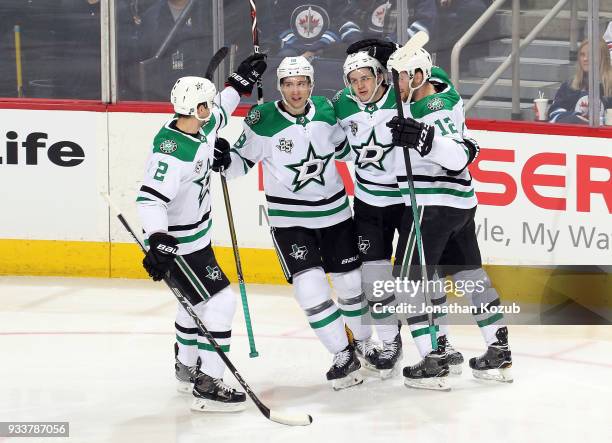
{"x":571,"y":103}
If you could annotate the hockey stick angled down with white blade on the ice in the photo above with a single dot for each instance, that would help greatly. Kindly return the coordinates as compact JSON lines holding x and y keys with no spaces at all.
{"x":278,"y":417}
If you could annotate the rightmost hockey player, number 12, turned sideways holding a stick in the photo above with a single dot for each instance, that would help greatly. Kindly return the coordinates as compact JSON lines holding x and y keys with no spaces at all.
{"x":440,"y":152}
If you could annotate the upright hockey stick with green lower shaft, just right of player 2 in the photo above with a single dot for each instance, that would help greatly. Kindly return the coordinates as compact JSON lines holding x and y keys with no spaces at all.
{"x":214,"y":63}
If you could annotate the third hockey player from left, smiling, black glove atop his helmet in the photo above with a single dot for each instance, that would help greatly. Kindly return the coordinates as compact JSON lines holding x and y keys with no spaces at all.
{"x":363,"y":109}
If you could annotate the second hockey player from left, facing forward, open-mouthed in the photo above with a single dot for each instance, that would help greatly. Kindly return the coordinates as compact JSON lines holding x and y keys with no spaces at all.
{"x":296,"y":140}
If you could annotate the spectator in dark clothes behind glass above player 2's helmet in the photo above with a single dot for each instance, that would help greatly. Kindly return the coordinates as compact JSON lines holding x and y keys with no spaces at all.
{"x":188,"y":52}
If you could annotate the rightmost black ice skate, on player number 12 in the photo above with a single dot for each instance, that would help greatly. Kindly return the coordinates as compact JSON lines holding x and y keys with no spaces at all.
{"x":496,"y":363}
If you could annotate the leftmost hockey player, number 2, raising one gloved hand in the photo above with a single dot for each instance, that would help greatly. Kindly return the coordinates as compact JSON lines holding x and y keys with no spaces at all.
{"x":174,"y":205}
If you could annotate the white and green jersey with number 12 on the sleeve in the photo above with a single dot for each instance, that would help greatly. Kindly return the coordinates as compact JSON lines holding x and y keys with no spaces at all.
{"x":436,"y":178}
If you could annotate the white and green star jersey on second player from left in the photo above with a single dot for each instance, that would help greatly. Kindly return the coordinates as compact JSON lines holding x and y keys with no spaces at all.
{"x":301,"y":182}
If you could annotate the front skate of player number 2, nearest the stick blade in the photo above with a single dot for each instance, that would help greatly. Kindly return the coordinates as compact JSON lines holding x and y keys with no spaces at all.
{"x":213,"y":395}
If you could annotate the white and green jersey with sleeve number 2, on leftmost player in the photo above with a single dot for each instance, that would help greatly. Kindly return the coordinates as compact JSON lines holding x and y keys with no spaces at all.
{"x":175,"y":194}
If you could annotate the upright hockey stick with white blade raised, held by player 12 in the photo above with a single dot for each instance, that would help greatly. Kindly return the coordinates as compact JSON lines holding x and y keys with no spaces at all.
{"x":417,"y":41}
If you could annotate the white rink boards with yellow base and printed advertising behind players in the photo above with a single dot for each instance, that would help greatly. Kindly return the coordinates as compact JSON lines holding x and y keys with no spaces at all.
{"x":545,"y":194}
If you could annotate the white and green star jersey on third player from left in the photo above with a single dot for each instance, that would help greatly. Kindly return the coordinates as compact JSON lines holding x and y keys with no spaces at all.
{"x":371,"y":146}
